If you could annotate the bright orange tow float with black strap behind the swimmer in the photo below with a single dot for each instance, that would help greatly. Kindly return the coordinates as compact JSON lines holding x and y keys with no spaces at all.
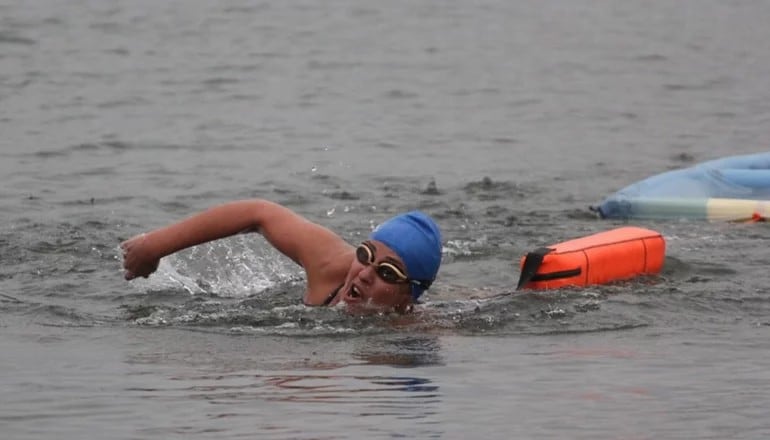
{"x":612,"y":255}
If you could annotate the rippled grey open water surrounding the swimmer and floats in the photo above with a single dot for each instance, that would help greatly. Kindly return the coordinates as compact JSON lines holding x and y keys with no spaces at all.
{"x":504,"y":120}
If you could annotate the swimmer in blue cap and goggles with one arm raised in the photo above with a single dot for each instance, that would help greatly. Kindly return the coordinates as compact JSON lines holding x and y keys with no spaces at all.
{"x":388,"y":272}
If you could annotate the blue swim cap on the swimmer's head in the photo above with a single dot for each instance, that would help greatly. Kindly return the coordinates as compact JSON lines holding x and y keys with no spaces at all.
{"x":416,"y":239}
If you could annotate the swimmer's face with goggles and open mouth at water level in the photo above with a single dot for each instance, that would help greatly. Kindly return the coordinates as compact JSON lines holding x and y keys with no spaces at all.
{"x":376,"y":281}
